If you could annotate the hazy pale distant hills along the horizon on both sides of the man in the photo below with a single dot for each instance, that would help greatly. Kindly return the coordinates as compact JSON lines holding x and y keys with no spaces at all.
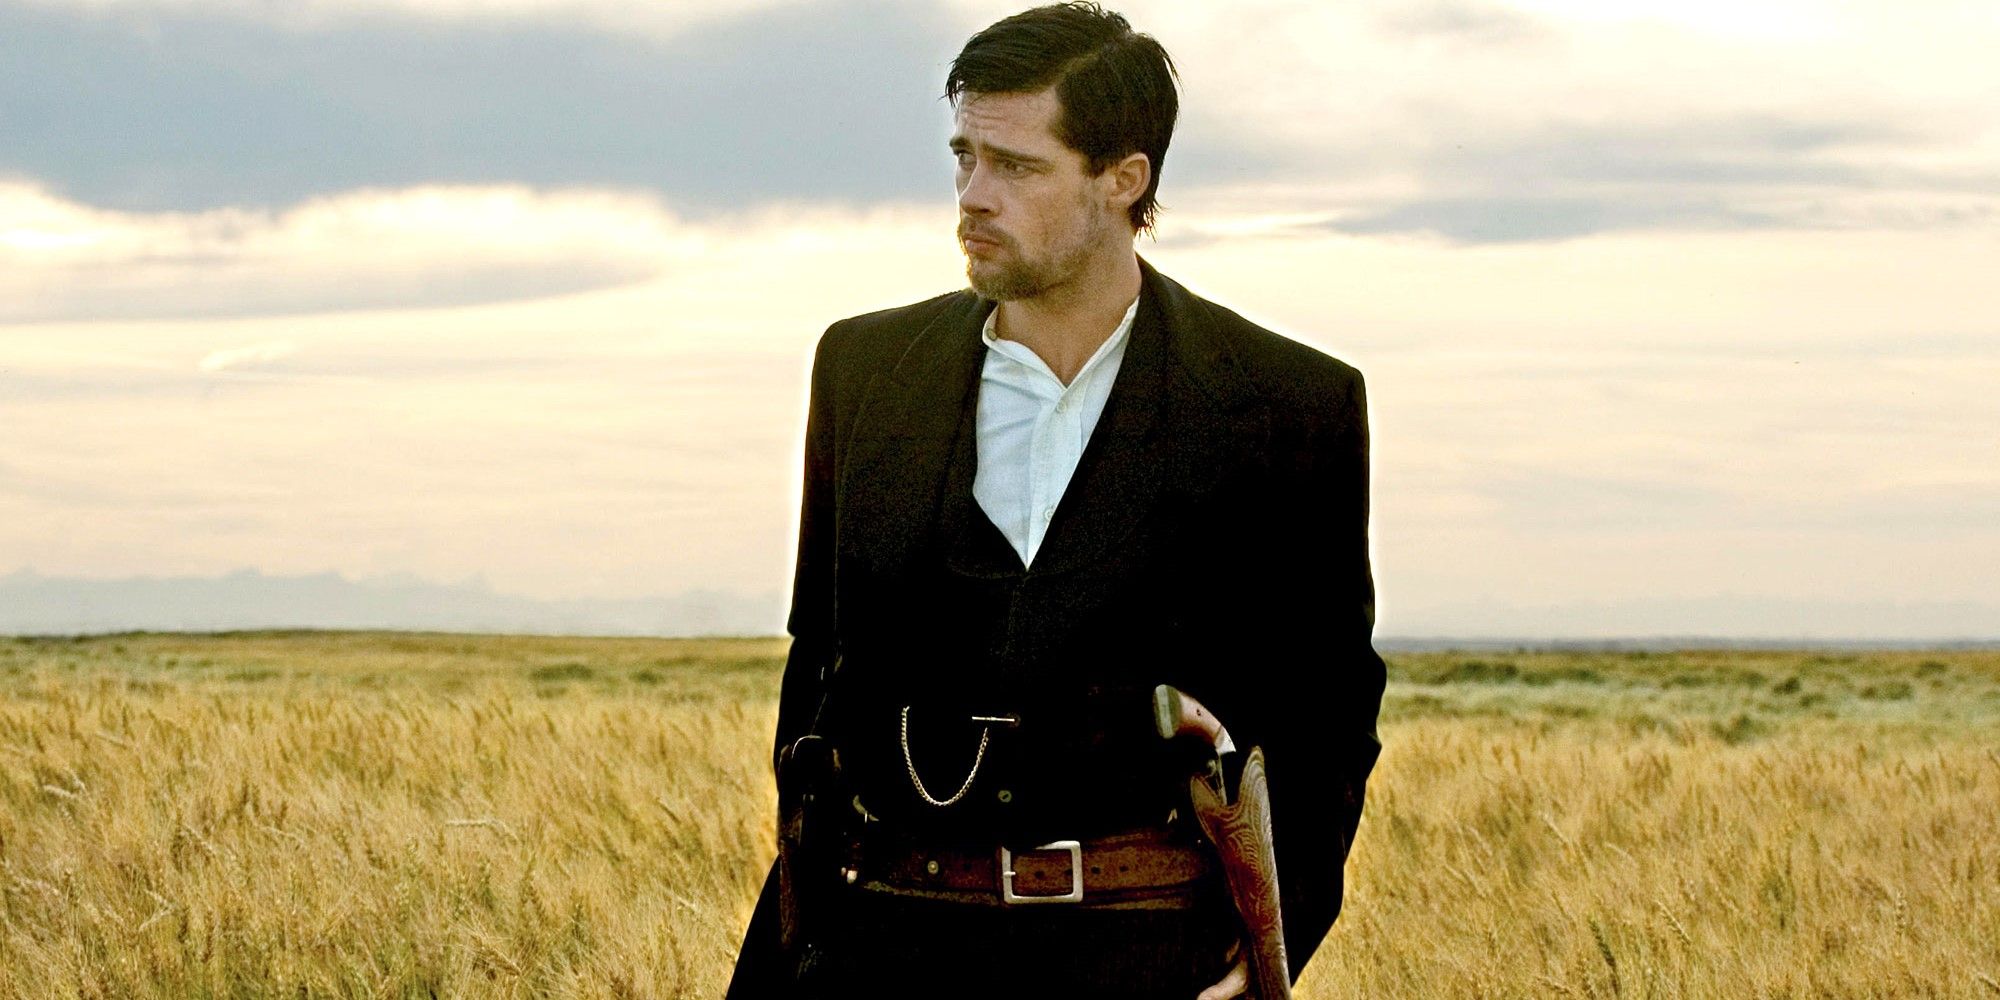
{"x":249,"y":599}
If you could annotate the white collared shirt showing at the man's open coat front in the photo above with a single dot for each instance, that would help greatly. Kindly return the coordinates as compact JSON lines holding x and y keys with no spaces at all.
{"x":1033,"y":429}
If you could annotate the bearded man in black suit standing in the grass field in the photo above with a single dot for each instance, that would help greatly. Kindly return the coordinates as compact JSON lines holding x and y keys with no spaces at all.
{"x":1027,"y":505}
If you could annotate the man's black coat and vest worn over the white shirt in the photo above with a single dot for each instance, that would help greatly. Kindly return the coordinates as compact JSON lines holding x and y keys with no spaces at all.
{"x":1215,"y":537}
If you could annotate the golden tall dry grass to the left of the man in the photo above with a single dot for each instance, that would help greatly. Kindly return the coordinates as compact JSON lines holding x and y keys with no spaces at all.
{"x":379,"y":815}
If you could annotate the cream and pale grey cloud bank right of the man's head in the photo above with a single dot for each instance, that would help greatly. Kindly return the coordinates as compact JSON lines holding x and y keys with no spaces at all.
{"x":1555,"y":121}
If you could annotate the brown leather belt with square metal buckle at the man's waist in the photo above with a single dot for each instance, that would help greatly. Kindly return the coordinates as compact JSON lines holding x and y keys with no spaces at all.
{"x":1143,"y":869}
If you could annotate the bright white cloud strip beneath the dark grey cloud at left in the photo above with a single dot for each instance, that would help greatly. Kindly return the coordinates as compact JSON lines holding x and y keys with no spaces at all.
{"x":359,"y":251}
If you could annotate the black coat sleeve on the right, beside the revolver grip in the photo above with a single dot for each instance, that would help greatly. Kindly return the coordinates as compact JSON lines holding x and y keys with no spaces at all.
{"x":1325,"y":677}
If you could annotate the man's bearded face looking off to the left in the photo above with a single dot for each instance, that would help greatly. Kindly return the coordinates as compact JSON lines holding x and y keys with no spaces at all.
{"x":1029,"y":213}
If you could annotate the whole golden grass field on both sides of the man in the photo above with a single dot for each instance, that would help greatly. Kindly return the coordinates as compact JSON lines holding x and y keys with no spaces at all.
{"x":429,"y":815}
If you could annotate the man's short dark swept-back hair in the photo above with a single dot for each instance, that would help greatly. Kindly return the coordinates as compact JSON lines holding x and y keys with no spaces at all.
{"x":1117,"y":89}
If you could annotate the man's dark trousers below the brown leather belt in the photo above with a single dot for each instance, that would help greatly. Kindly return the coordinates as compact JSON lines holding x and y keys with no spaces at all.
{"x":899,"y":947}
